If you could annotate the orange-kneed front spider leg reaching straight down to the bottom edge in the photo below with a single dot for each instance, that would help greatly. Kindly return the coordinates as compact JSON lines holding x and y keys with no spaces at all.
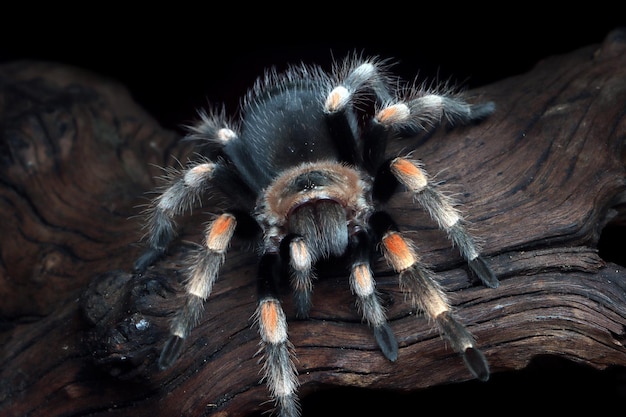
{"x":279,"y":371}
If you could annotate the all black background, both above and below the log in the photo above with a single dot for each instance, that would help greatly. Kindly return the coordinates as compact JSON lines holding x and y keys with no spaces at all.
{"x":178,"y":59}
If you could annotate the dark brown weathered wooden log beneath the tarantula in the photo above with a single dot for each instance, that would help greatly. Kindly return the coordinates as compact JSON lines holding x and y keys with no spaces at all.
{"x":539,"y":180}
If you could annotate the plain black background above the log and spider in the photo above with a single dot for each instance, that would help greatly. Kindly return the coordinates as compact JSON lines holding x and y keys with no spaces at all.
{"x":177,"y":60}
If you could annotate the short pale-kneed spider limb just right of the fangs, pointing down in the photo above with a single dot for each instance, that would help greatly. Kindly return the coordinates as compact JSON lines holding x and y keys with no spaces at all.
{"x":363,"y":285}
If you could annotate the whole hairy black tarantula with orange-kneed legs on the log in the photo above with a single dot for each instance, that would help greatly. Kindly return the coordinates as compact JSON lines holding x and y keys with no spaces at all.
{"x":306,"y":174}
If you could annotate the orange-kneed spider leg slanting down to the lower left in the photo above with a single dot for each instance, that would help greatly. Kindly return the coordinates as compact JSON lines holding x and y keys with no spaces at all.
{"x":203,"y":272}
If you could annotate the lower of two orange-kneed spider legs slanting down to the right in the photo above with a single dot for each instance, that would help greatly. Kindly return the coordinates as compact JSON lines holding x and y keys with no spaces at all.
{"x":420,"y":284}
